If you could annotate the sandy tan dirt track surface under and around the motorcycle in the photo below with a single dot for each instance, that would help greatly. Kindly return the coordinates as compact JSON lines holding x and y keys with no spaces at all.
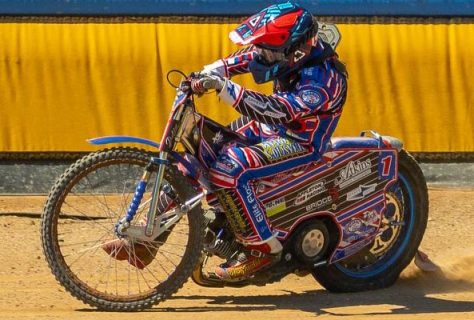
{"x":29,"y":291}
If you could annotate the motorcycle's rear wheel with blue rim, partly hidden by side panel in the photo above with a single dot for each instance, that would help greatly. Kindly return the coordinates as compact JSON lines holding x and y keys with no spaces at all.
{"x":380,"y":264}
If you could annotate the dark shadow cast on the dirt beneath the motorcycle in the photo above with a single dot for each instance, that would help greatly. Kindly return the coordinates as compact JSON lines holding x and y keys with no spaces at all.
{"x":412,"y":294}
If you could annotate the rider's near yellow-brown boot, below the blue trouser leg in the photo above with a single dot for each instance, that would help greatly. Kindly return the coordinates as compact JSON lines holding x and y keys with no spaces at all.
{"x":254,"y":258}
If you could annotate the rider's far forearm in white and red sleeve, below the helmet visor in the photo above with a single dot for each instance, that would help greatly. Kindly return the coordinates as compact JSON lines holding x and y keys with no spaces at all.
{"x":236,"y":63}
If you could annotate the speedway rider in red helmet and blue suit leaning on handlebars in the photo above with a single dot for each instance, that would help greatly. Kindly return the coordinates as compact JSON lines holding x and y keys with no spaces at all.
{"x":290,"y":127}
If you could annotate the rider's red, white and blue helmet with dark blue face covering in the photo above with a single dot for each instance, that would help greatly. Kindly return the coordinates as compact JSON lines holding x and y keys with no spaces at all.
{"x":281,"y":28}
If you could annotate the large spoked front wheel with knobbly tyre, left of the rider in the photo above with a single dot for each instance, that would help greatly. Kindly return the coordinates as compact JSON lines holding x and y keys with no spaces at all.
{"x":78,"y":221}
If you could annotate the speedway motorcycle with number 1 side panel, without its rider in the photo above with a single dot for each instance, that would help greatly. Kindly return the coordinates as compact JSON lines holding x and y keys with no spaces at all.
{"x":353,"y":220}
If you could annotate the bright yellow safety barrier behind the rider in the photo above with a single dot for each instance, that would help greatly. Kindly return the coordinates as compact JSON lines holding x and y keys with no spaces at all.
{"x":63,"y":83}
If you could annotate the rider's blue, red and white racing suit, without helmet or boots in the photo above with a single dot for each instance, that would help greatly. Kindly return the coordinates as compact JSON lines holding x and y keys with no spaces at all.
{"x":290,"y":128}
